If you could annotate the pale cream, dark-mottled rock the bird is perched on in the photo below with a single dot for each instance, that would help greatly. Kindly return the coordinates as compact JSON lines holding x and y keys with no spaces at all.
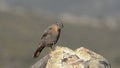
{"x":63,"y":57}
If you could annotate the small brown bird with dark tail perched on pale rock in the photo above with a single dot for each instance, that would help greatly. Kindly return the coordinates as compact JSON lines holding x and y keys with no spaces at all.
{"x":49,"y":37}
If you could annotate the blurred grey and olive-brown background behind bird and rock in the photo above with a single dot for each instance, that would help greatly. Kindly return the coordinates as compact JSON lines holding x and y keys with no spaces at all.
{"x":94,"y":24}
